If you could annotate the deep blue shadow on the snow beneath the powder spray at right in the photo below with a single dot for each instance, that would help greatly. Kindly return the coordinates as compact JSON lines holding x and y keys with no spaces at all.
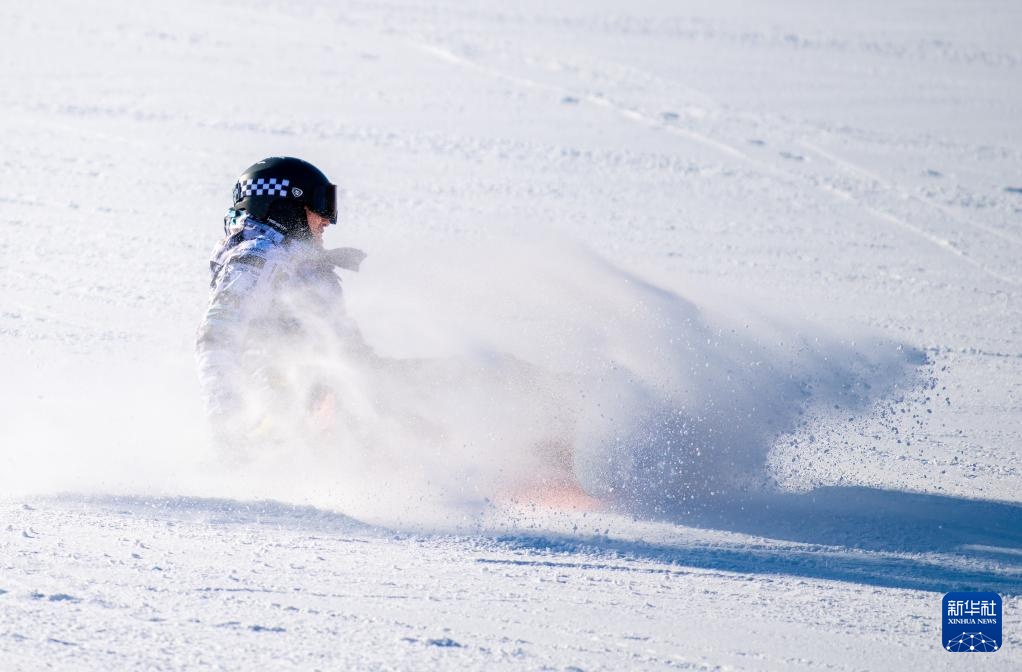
{"x":856,"y":535}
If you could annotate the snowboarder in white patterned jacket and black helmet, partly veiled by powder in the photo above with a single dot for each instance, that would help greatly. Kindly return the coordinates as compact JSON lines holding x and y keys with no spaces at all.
{"x":275,"y":303}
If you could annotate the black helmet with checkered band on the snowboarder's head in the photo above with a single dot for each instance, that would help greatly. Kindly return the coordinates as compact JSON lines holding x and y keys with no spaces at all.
{"x":286,"y":180}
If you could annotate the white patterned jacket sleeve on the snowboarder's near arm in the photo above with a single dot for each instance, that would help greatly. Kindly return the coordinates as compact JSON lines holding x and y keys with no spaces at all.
{"x":242,"y":294}
